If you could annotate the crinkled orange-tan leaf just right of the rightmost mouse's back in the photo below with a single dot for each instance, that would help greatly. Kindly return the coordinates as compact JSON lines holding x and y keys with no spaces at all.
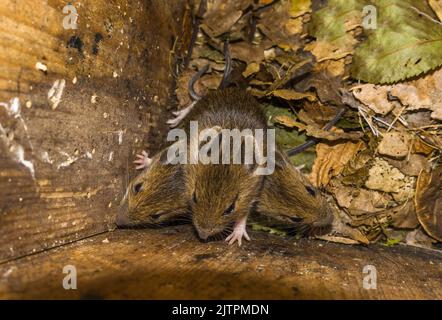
{"x":330,"y":161}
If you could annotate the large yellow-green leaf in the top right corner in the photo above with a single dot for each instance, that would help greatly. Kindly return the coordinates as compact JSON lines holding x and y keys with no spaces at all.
{"x":405,"y":43}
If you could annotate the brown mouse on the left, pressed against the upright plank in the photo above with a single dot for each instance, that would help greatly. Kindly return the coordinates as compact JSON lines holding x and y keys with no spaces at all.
{"x":156,"y":195}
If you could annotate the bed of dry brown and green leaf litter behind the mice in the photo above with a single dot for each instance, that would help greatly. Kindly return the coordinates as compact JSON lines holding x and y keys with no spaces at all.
{"x":380,"y":165}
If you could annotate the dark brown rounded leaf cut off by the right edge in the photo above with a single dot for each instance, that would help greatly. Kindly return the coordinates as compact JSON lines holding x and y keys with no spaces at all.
{"x":428,"y":201}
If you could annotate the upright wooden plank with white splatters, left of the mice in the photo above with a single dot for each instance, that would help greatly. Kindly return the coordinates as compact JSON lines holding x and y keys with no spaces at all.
{"x":81,"y":151}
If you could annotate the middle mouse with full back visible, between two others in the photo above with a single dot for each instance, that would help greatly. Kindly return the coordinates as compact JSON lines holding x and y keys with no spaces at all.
{"x":223,"y":194}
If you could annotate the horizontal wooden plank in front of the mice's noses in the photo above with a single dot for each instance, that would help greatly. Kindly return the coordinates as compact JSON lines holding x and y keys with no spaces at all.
{"x":171,"y":263}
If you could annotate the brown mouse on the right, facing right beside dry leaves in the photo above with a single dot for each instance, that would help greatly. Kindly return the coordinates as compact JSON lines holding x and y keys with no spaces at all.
{"x":289,"y":199}
